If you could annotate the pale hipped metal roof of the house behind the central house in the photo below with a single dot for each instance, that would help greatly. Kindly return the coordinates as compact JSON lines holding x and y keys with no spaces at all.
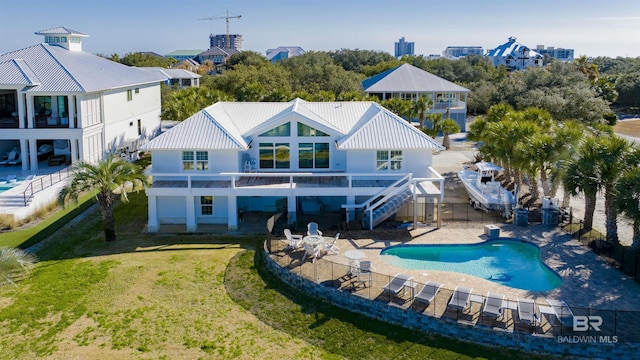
{"x":407,"y":78}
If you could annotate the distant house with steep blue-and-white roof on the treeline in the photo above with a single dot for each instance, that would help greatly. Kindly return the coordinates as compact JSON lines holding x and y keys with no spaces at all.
{"x":514,"y":56}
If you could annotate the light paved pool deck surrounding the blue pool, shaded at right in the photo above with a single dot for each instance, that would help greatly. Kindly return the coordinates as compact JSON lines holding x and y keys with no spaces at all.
{"x":587,"y":281}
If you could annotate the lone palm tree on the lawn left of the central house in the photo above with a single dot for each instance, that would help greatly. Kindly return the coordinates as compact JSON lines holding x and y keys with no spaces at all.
{"x":108,"y":178}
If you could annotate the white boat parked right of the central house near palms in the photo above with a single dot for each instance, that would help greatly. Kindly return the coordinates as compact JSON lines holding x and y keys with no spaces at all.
{"x":485,"y":193}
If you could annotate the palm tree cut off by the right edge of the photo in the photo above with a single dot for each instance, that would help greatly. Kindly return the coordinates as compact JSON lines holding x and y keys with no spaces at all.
{"x":628,"y":200}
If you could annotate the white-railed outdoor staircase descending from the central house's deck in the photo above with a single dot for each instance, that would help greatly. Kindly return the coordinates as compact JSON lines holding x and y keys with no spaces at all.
{"x":385,"y":204}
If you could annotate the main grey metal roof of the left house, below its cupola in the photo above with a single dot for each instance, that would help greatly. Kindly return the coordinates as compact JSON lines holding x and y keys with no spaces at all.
{"x":61,"y":70}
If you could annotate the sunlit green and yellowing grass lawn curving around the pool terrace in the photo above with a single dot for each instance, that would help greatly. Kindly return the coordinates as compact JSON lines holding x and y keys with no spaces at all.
{"x":167,"y":297}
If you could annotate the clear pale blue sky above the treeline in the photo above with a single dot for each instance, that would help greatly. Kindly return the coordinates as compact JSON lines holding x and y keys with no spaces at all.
{"x":590,"y":27}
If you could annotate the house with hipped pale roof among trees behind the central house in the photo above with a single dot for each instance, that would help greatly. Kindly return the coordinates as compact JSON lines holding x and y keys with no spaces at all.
{"x":409,"y":82}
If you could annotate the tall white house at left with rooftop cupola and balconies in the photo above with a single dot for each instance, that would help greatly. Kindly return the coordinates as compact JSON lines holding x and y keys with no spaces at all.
{"x":82,"y":105}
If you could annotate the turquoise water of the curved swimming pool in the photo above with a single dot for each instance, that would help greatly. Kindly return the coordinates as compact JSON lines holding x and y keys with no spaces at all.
{"x":505,"y":261}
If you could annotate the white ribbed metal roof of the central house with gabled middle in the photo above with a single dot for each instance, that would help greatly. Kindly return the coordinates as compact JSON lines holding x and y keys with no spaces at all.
{"x":231,"y":125}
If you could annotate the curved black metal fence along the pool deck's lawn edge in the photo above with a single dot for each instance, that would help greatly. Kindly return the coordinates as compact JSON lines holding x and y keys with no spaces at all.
{"x":569,"y":323}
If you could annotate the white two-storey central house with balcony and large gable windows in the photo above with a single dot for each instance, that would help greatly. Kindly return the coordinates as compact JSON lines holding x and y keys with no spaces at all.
{"x":299,"y":157}
